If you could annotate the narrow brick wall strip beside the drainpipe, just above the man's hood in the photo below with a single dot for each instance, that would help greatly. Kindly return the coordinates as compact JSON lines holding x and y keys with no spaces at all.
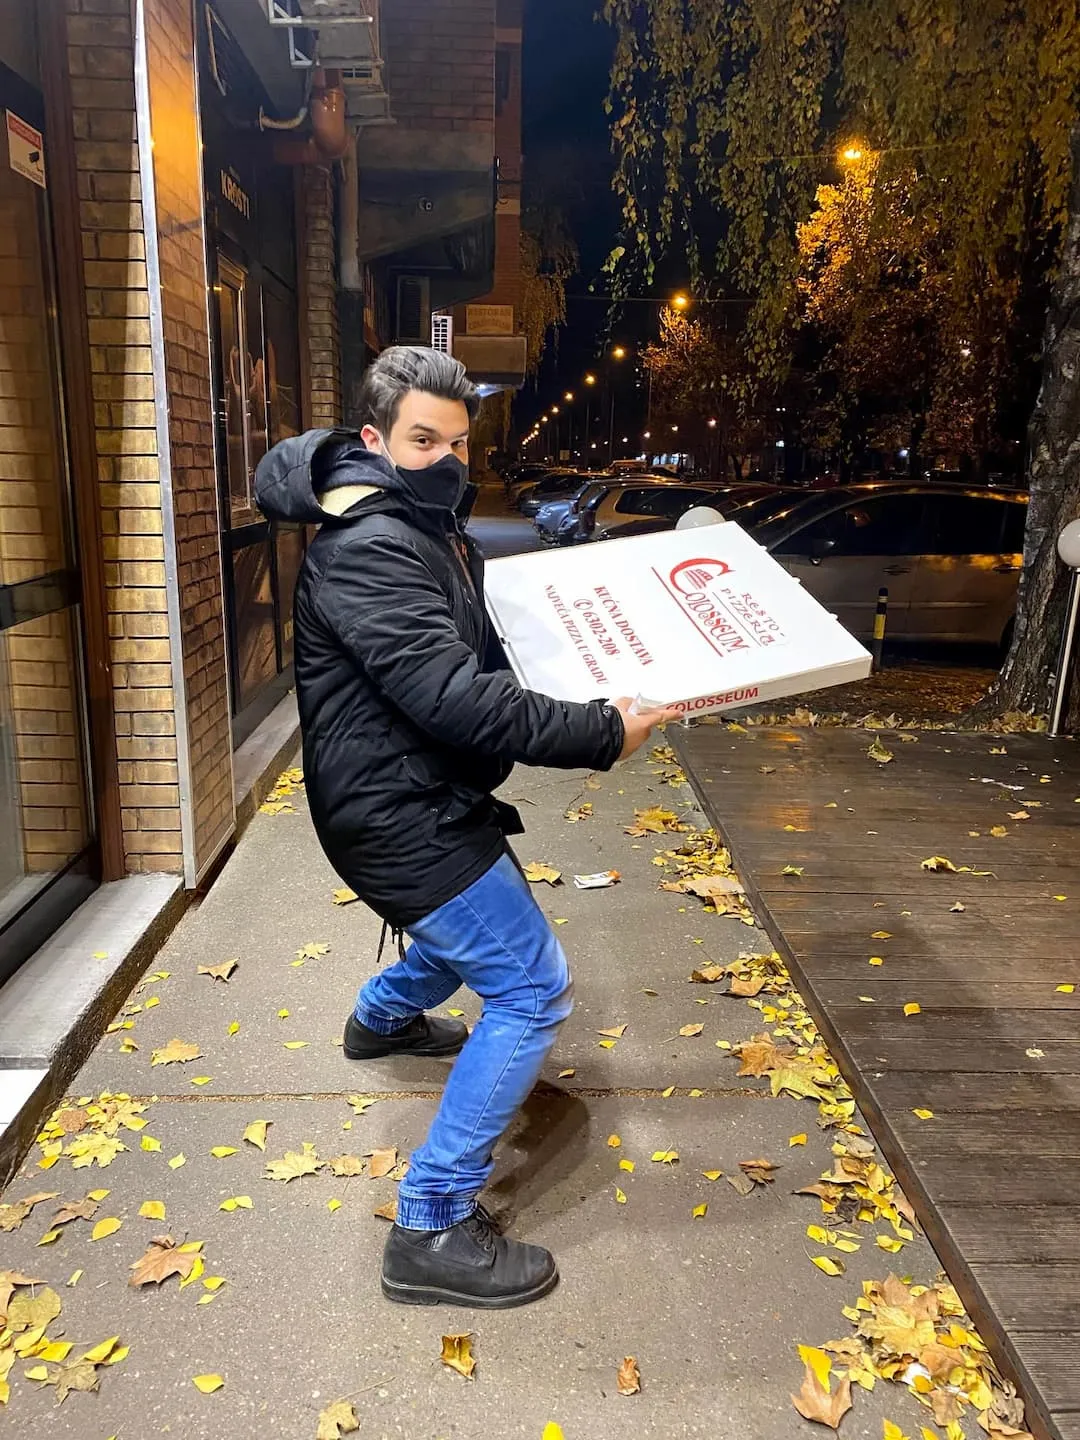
{"x":319,"y":320}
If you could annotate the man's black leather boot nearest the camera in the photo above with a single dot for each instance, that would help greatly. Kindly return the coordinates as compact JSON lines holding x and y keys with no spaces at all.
{"x":472,"y":1264}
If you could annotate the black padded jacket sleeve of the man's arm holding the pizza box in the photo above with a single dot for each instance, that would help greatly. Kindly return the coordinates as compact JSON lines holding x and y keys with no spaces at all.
{"x":392,"y":616}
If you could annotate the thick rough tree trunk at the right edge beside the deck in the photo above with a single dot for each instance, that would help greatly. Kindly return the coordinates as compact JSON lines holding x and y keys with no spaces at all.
{"x":1026,"y":680}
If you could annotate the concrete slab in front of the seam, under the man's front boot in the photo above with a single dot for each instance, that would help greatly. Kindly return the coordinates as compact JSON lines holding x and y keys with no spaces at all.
{"x":711,"y":1308}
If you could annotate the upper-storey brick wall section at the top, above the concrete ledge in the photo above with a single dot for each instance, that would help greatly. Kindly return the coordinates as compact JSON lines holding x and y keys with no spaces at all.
{"x":441,"y":64}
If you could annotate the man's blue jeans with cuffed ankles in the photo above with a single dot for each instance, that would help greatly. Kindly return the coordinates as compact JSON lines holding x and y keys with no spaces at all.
{"x":495,"y":940}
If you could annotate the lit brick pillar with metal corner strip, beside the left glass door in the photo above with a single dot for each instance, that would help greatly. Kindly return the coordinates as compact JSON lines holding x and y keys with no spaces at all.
{"x":138,"y":529}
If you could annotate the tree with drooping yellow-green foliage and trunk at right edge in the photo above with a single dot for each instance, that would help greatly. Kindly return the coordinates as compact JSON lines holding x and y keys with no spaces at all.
{"x":726,"y":117}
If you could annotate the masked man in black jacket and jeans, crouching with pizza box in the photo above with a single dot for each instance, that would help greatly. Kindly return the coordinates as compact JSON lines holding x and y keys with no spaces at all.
{"x":411,"y":722}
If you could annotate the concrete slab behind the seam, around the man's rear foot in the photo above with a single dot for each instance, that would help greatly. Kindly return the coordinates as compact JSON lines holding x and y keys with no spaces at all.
{"x":276,"y":898}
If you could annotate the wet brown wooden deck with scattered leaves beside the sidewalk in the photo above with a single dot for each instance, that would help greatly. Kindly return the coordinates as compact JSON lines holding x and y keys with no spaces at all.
{"x":996,"y":1052}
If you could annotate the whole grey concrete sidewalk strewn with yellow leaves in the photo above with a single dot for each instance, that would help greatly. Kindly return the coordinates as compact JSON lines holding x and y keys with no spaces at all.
{"x":714,"y":1308}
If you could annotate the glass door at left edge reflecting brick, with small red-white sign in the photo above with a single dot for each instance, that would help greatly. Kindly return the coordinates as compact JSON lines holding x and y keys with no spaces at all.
{"x":48,"y":856}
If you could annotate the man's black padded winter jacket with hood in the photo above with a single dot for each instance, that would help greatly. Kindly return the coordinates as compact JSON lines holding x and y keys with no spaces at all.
{"x":408,"y":712}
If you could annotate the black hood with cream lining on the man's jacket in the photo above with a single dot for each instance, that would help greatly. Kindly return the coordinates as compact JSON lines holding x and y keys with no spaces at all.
{"x":293,"y":476}
